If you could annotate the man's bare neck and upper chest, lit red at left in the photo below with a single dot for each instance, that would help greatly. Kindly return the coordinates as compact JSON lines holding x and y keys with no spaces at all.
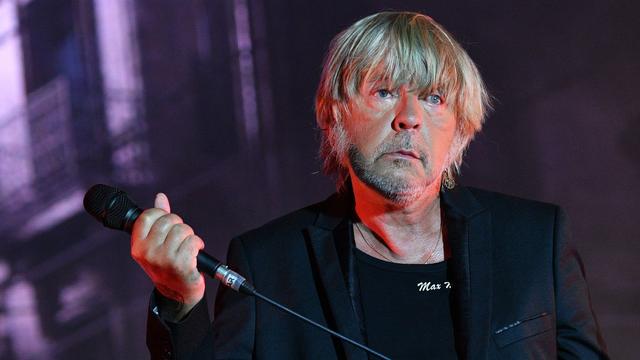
{"x":409,"y":232}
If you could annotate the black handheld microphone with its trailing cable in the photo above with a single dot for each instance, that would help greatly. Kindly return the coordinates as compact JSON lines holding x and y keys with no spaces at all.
{"x":113,"y":208}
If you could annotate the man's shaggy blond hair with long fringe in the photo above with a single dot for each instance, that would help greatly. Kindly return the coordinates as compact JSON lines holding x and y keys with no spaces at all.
{"x":403,"y":48}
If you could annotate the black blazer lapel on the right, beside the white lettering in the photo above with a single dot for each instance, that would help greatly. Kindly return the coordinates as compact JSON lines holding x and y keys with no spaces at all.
{"x":468,"y":227}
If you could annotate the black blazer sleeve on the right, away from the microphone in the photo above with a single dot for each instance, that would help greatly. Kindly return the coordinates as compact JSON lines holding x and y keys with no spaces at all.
{"x":578,"y":334}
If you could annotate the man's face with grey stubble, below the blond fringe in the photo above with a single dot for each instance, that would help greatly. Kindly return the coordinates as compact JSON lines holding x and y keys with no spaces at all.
{"x":398,"y":139}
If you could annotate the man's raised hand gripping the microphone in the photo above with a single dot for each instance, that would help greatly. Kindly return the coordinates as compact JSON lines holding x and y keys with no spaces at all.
{"x":166,"y":249}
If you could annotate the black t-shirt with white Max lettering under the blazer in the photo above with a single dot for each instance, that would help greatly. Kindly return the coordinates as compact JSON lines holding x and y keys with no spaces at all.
{"x":406,"y":308}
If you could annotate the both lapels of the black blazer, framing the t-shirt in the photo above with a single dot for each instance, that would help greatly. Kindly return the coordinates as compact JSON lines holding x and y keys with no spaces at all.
{"x":468,"y":226}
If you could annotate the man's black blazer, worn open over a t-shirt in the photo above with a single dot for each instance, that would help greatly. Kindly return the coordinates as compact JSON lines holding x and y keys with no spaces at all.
{"x":519,"y":289}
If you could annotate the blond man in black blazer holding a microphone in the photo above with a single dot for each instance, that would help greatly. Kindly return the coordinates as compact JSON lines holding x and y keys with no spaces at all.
{"x":400,"y":259}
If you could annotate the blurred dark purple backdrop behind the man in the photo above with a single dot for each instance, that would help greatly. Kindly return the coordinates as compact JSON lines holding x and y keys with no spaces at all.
{"x":211,"y":102}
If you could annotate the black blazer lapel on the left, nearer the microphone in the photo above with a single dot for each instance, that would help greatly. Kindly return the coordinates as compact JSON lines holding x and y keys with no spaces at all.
{"x":331,"y":253}
